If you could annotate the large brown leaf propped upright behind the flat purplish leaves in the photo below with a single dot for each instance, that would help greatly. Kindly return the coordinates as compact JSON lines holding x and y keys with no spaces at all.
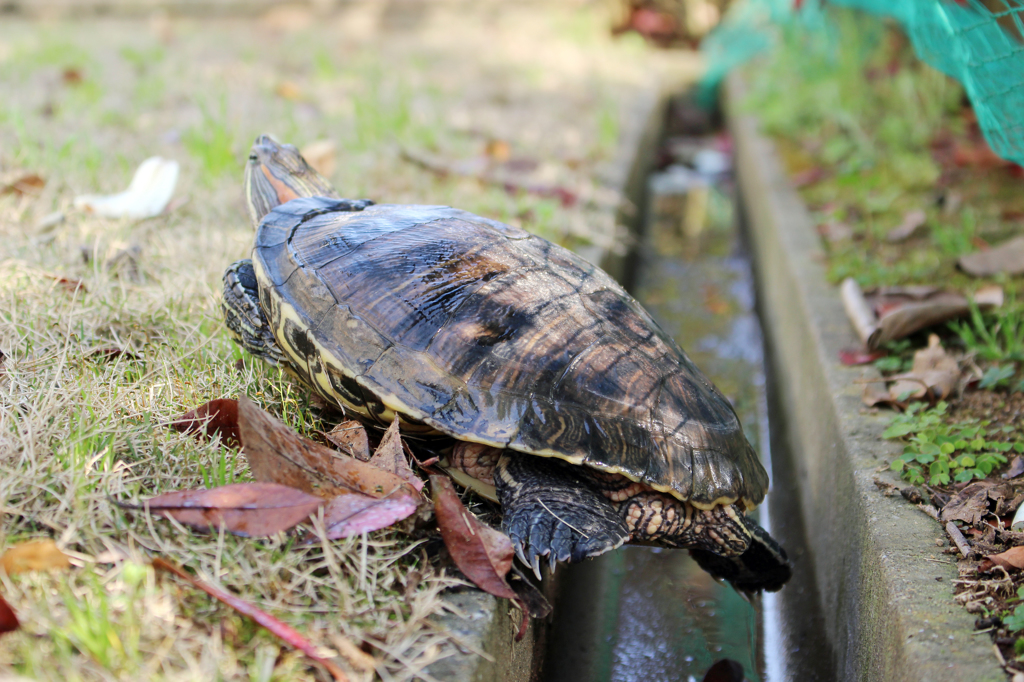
{"x":276,"y":453}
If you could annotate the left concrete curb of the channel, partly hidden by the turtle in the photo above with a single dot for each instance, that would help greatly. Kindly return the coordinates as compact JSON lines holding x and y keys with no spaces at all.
{"x":481,"y":622}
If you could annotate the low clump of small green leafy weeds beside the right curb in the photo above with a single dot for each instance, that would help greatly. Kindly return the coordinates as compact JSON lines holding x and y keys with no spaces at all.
{"x":938,"y":452}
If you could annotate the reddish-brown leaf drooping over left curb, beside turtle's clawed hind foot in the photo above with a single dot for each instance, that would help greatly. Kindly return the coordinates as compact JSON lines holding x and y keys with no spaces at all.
{"x":484,"y":555}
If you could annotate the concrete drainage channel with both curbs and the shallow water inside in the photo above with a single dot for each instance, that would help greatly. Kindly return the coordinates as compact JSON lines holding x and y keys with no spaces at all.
{"x":871,"y":599}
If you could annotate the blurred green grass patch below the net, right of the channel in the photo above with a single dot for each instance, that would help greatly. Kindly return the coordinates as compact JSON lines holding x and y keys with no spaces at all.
{"x":852,"y":99}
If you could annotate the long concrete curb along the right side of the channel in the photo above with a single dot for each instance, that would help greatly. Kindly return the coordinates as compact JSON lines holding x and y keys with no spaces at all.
{"x":885,"y":588}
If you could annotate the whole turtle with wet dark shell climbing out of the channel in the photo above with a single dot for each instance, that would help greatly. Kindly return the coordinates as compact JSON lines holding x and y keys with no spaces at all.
{"x":565,"y":400}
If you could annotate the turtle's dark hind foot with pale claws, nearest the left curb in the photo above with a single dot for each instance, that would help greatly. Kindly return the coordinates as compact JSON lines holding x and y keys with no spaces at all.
{"x":548,"y":509}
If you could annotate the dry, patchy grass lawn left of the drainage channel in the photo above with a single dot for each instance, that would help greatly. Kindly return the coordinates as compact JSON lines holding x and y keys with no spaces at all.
{"x":79,"y":430}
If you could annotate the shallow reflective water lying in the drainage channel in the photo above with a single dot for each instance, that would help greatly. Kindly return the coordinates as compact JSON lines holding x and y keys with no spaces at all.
{"x":650,"y":615}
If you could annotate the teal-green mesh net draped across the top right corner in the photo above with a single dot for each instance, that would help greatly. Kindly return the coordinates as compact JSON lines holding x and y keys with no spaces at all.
{"x":978,"y":42}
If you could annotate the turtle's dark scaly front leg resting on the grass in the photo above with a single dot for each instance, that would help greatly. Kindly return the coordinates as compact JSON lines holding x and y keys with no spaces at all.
{"x":245,"y":316}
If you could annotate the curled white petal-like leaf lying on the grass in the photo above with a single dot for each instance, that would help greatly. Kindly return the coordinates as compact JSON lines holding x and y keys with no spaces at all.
{"x":147,"y":196}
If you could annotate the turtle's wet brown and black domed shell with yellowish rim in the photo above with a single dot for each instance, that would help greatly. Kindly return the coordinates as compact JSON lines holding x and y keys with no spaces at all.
{"x":490,"y":334}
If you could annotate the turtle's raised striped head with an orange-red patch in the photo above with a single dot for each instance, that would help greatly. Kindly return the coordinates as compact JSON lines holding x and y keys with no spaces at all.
{"x":277,"y":174}
